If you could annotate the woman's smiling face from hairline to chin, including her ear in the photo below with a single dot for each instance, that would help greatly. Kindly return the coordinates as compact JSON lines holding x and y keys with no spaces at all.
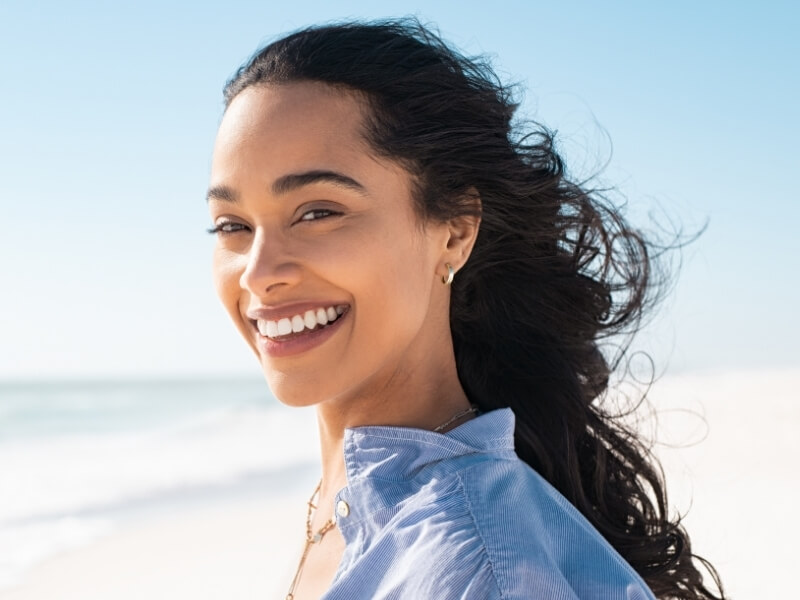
{"x":320,"y":258}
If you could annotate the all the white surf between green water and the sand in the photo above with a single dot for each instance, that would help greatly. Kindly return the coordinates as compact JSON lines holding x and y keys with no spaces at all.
{"x":59,"y":493}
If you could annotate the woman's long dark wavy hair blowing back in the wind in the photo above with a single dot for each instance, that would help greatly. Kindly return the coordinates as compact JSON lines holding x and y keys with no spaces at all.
{"x":555,"y":271}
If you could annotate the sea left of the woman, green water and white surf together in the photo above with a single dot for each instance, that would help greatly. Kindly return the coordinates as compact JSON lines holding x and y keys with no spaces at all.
{"x":80,"y":459}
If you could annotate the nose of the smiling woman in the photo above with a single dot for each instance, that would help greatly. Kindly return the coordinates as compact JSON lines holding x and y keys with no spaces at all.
{"x":269,"y":267}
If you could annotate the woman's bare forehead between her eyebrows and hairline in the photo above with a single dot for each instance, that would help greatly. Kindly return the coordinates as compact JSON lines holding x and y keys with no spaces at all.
{"x":304,"y":121}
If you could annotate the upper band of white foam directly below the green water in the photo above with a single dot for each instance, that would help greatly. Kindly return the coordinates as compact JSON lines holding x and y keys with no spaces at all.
{"x":69,"y":473}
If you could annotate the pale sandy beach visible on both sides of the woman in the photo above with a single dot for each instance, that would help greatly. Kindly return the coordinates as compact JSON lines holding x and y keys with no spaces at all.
{"x":729,"y":448}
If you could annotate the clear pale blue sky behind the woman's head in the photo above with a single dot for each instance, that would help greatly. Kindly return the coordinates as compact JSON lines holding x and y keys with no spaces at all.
{"x":109,"y":110}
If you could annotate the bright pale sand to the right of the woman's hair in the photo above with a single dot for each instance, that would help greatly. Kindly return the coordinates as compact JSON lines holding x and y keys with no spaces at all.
{"x":729,"y":447}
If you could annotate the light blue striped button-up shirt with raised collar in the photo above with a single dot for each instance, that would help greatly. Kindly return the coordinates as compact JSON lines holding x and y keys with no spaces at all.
{"x":458,"y":515}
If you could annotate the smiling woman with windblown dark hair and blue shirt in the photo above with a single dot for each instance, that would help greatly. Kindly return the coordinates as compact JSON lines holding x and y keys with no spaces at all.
{"x":400,"y":256}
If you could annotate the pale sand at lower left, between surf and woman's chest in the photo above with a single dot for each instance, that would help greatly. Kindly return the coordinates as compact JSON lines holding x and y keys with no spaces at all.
{"x":235,"y":551}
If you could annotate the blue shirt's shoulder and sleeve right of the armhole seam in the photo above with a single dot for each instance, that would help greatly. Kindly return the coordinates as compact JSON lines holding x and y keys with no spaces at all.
{"x":537,"y":543}
